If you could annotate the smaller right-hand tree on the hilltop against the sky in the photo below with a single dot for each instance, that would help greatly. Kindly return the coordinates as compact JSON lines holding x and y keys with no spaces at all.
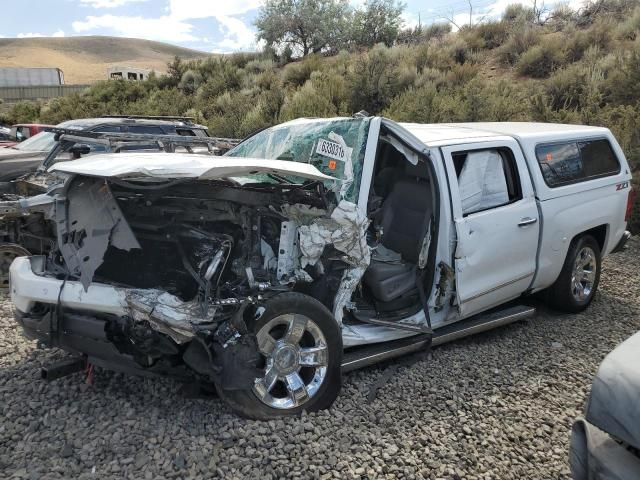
{"x":378,"y":21}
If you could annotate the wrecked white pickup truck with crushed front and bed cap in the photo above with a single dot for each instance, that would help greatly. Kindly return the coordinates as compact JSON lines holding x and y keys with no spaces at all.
{"x":318,"y":246}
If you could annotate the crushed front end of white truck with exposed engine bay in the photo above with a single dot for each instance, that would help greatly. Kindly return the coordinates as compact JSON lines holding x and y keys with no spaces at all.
{"x":168,"y":276}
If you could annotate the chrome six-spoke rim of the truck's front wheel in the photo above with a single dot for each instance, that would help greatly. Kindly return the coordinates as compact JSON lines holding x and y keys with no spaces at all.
{"x":296,"y":357}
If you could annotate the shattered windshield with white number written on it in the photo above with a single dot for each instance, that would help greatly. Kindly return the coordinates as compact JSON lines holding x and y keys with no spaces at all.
{"x":336,"y":147}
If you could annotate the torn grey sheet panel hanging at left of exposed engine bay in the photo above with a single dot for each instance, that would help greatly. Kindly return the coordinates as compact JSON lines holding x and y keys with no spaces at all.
{"x":88,"y":221}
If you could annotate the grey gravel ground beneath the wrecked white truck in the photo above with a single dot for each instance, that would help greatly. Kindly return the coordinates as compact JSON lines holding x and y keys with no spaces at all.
{"x":496,"y":406}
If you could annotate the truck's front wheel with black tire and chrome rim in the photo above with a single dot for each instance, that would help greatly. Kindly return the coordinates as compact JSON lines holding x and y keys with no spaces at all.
{"x":301,"y":344}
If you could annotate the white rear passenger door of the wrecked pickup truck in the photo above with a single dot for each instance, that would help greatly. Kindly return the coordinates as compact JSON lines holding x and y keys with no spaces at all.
{"x":495,"y":258}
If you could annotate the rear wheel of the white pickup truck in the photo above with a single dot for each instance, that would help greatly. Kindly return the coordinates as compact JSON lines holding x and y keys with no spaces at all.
{"x":578,"y":281}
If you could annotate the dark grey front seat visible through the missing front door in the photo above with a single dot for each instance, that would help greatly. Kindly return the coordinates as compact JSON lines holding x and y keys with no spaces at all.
{"x":404,"y":219}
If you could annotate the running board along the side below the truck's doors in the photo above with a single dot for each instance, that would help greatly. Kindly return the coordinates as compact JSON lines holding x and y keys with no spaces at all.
{"x":365,"y":356}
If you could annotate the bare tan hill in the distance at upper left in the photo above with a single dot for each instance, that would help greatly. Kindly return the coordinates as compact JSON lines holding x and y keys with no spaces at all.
{"x":86,"y":59}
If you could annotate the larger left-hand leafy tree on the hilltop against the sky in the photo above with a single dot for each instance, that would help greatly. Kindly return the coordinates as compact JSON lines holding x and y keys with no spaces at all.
{"x":306,"y":26}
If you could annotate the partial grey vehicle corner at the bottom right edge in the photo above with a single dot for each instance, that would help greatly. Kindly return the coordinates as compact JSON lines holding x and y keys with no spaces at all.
{"x":605,"y":444}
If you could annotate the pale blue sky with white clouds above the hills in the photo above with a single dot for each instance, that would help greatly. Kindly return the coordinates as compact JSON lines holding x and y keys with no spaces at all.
{"x":219,"y":26}
